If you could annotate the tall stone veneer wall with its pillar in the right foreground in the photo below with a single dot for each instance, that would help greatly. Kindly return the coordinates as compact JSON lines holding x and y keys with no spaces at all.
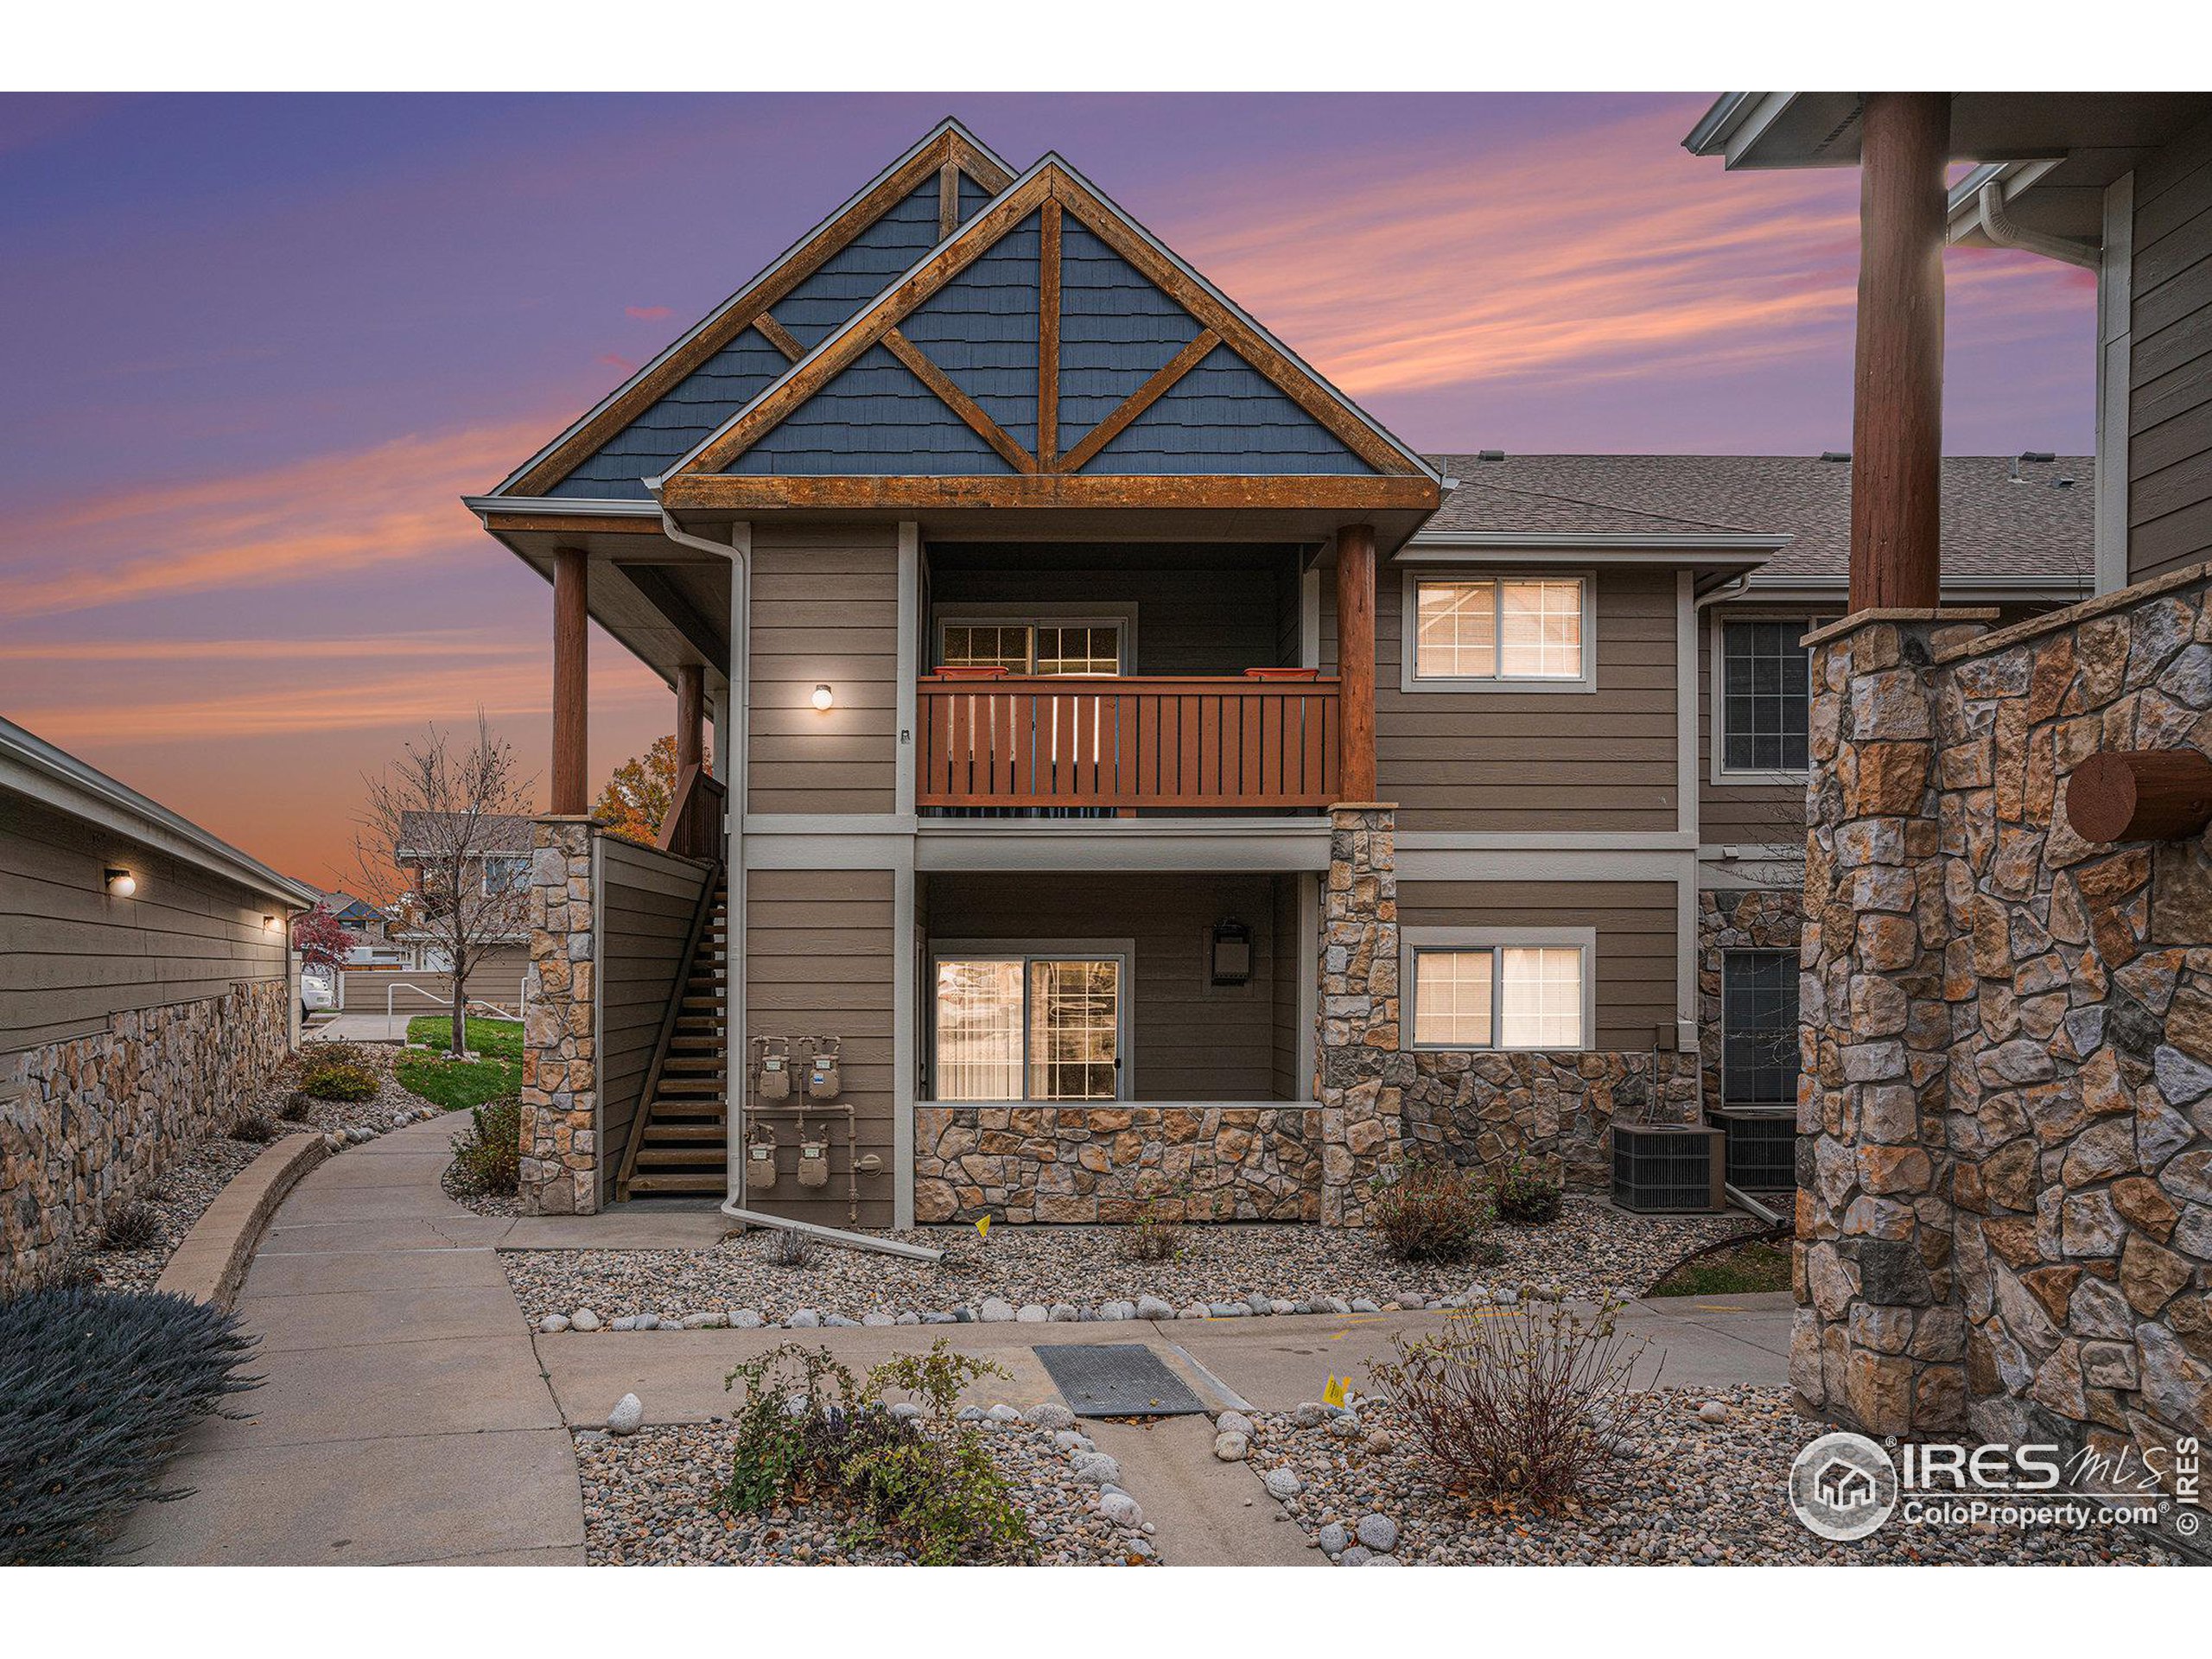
{"x":2005,"y":1215}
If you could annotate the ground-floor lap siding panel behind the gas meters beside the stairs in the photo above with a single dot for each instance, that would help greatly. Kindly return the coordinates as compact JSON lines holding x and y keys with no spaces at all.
{"x":820,"y":963}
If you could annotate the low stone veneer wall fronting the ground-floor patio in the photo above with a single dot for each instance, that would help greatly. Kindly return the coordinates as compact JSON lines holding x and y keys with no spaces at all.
{"x":1116,"y":1162}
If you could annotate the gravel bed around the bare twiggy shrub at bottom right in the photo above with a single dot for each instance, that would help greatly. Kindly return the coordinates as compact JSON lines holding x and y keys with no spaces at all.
{"x":1693,"y":1492}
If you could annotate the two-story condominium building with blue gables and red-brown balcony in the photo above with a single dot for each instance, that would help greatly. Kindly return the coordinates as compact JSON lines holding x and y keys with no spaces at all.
{"x":1138,"y":775}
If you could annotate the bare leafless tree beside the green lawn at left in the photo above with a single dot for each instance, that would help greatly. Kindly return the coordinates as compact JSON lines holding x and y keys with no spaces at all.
{"x":450,"y":815}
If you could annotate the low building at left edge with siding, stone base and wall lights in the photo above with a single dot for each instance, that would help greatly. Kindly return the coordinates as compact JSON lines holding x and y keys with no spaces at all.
{"x":145,"y":994}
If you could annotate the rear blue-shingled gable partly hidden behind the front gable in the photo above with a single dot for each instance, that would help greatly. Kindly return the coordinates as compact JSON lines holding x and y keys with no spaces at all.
{"x":775,"y":320}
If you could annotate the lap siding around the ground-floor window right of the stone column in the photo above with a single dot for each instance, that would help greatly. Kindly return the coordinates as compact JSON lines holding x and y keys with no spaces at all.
{"x":1636,"y":939}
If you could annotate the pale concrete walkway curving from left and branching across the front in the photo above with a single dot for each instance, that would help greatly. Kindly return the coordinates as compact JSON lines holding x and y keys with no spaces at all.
{"x":410,"y":1415}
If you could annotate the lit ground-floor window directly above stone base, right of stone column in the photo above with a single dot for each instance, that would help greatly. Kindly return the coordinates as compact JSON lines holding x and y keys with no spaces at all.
{"x":1468,"y":988}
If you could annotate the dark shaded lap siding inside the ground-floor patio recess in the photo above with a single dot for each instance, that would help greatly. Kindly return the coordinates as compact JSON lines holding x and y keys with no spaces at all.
{"x":1189,"y":1041}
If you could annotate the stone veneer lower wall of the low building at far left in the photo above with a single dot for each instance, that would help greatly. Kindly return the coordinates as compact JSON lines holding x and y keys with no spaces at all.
{"x":105,"y":1116}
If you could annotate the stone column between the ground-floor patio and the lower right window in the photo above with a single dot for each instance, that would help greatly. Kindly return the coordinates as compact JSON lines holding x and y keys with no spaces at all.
{"x":1364,"y":1074}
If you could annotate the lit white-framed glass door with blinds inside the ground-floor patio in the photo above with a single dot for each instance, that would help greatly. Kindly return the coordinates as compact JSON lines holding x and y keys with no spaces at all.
{"x":1030,"y":1021}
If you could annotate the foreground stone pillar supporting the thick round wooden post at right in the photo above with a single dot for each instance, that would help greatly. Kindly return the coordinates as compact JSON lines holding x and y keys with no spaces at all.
{"x":1879,"y":1344}
